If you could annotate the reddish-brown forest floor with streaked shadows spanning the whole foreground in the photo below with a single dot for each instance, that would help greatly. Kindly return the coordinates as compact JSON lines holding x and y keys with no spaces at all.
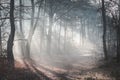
{"x":30,"y":71}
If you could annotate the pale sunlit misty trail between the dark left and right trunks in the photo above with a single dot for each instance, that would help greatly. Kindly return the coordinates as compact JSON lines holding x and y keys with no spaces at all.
{"x":84,"y":66}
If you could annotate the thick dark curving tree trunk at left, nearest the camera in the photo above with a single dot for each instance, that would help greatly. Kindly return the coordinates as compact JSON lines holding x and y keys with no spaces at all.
{"x":10,"y":55}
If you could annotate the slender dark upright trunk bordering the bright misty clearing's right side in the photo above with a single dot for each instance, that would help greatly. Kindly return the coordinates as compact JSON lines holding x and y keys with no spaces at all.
{"x":104,"y":30}
